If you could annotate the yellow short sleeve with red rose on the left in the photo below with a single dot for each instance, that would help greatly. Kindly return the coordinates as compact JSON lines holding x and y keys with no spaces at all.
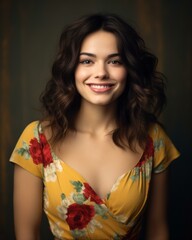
{"x":27,"y":152}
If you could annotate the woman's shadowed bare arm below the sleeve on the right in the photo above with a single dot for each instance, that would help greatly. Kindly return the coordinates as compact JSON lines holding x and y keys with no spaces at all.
{"x":157,"y":227}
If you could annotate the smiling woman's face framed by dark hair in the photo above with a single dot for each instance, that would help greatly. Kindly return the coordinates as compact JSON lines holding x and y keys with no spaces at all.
{"x":100,"y":76}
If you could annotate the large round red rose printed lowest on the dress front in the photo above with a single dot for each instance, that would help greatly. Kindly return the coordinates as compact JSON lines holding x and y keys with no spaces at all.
{"x":79,"y":215}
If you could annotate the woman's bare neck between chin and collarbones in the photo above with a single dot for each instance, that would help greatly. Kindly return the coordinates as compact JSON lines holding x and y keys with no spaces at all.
{"x":95,"y":119}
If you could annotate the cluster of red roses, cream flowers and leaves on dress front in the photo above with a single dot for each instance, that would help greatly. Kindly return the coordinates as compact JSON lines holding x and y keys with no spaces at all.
{"x":80,"y":209}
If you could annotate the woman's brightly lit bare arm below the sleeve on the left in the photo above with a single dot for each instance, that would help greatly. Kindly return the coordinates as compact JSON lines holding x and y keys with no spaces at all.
{"x":27,"y":204}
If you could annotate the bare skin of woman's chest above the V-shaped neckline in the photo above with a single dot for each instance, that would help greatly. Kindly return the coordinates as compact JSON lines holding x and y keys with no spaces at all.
{"x":99,"y":161}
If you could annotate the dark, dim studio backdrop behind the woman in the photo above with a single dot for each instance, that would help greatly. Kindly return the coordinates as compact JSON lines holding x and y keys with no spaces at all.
{"x":29,"y":33}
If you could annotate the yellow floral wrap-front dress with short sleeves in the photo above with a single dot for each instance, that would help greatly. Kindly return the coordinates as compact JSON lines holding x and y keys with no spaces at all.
{"x":73,"y":208}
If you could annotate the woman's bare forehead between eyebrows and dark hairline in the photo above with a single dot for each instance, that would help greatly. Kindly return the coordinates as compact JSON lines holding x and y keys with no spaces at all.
{"x":100,"y":41}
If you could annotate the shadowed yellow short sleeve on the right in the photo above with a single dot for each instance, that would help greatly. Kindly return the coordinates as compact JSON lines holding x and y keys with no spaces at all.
{"x":164,"y":150}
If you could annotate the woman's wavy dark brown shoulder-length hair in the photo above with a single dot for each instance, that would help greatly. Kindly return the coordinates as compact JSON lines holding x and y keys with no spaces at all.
{"x":142,"y":100}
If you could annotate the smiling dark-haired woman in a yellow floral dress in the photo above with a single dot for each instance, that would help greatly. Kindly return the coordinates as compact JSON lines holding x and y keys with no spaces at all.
{"x":99,"y":150}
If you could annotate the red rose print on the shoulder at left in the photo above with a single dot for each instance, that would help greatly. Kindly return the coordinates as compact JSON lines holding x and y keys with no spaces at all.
{"x":40,"y":151}
